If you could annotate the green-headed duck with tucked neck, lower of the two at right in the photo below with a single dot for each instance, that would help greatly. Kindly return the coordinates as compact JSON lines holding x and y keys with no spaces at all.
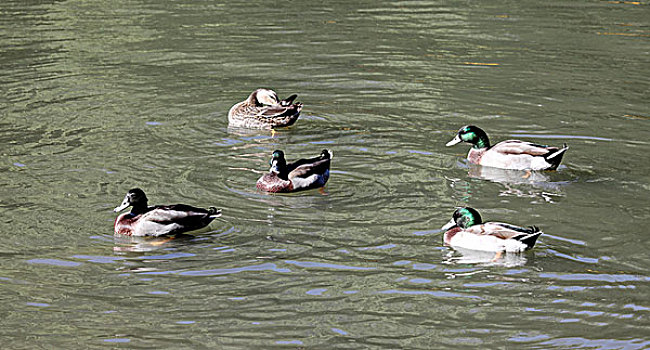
{"x":467,"y":230}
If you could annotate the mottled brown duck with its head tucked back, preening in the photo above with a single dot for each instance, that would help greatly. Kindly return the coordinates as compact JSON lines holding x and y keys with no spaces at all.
{"x":264,"y":110}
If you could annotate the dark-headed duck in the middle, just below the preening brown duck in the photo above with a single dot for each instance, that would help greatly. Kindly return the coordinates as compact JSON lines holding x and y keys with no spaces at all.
{"x":302,"y":174}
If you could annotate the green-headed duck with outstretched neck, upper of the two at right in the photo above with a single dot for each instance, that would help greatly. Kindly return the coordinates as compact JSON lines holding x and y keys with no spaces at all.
{"x":510,"y":154}
